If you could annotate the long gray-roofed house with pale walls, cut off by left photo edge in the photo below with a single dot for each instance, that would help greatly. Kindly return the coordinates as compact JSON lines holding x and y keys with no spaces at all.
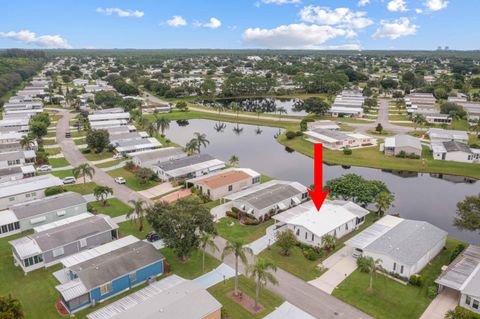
{"x":25,"y":216}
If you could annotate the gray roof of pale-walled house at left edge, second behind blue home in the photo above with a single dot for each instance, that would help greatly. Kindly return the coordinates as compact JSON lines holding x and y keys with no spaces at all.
{"x":47,"y":204}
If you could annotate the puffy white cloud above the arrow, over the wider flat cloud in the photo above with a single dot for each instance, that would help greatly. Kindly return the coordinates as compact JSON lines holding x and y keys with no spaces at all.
{"x":342,"y":17}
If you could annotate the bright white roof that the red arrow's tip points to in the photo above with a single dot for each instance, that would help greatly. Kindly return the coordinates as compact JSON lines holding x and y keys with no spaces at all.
{"x":321,"y":222}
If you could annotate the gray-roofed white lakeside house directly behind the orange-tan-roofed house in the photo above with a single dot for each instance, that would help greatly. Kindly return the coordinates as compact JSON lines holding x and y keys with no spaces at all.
{"x":187,"y":167}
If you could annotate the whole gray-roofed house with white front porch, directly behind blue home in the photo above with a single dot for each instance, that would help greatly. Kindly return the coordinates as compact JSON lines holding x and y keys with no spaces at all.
{"x":54,"y":241}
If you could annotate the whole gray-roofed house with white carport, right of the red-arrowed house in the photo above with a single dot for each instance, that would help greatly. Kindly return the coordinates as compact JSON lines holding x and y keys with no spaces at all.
{"x":404,"y":246}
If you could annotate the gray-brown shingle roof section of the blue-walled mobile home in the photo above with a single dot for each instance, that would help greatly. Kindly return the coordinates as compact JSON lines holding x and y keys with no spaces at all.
{"x":103,"y":269}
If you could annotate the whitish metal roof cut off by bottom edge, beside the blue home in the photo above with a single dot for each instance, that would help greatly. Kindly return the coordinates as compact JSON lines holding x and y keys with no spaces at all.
{"x":172,"y":297}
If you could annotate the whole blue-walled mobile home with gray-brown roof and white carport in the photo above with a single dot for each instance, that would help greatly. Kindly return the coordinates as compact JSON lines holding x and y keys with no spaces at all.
{"x":97,"y":275}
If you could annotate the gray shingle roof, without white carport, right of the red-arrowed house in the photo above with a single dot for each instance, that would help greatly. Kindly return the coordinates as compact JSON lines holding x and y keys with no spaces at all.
{"x":408,"y":241}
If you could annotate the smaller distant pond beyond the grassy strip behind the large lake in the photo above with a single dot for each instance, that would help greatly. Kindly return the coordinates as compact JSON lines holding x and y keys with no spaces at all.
{"x":252,"y":104}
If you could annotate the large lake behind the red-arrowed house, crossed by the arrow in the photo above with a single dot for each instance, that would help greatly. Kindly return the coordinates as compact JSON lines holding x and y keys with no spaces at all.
{"x":417,"y":196}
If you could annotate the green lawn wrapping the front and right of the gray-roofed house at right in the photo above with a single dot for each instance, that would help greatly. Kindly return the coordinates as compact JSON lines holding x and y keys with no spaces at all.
{"x":408,"y":301}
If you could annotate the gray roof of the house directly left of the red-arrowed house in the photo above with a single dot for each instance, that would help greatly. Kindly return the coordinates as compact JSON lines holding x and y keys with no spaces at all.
{"x":270,"y":196}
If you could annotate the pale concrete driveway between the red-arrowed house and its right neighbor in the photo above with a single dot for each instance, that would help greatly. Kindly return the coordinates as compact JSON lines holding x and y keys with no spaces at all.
{"x":340,"y":265}
